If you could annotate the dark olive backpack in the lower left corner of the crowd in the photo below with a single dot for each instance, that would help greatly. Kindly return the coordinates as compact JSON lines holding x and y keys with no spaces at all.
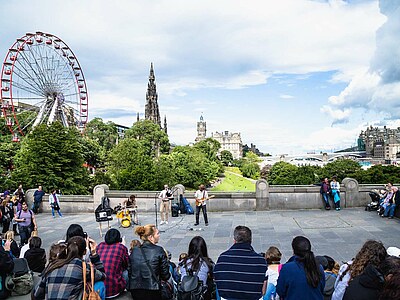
{"x":20,"y":282}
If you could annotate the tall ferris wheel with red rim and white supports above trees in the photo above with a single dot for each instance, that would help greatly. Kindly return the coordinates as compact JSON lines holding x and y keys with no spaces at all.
{"x":42,"y":82}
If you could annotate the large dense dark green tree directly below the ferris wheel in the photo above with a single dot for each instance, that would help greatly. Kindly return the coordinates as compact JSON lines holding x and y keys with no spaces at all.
{"x":51,"y":156}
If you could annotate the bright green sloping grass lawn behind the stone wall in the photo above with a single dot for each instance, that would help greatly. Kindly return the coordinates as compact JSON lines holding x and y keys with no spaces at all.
{"x":235,"y":183}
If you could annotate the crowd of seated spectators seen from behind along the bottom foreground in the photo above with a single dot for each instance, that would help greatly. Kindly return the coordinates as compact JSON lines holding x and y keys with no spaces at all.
{"x":373,"y":273}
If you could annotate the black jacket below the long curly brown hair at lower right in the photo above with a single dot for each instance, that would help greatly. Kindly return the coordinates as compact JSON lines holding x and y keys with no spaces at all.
{"x":366,"y":286}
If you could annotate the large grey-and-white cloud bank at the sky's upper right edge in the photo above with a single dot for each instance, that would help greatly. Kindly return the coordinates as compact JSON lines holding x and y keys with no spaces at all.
{"x":377,"y":89}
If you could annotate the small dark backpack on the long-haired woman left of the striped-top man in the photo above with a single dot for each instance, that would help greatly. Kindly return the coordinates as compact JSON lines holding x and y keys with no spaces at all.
{"x":190,"y":287}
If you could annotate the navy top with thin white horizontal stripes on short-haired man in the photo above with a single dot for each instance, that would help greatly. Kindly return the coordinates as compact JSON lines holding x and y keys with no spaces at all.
{"x":240,"y":273}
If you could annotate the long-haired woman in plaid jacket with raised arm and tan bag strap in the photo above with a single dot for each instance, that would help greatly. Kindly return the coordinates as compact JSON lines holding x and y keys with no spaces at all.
{"x":63,"y":277}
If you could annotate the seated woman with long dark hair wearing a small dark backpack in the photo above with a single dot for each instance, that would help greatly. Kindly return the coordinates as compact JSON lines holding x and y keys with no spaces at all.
{"x":199,"y":263}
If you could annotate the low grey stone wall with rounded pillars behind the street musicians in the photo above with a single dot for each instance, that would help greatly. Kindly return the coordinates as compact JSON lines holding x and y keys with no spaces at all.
{"x":266,"y":197}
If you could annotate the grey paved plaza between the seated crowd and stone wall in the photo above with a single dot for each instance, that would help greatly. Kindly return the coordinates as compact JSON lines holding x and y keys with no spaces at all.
{"x":337,"y":234}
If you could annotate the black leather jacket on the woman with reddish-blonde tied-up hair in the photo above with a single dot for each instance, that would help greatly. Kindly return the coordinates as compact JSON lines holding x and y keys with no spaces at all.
{"x":140,"y":277}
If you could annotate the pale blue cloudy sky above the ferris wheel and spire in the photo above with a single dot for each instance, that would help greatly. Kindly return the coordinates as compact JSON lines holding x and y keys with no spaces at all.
{"x":292,"y":76}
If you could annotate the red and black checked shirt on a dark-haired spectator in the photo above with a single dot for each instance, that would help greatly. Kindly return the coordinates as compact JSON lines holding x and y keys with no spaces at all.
{"x":115,"y":260}
